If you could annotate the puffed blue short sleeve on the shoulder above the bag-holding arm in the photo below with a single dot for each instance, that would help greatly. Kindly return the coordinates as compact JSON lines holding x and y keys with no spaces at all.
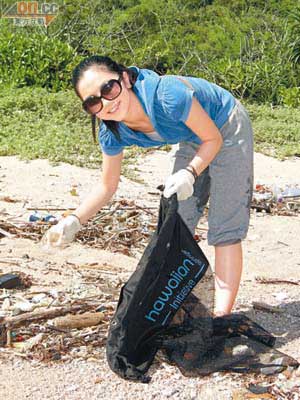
{"x":175,"y":97}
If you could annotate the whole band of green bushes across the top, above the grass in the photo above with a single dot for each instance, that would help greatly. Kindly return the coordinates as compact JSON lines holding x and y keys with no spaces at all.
{"x":251,"y":47}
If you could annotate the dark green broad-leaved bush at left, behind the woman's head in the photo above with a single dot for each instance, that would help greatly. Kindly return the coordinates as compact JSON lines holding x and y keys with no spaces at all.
{"x":35,"y":60}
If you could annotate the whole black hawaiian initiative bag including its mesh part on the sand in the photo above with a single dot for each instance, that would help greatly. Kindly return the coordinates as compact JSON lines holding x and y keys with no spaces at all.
{"x":158,"y":312}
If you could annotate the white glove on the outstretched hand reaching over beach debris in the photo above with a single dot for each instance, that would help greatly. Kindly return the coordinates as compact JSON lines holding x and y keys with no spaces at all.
{"x":62,"y":233}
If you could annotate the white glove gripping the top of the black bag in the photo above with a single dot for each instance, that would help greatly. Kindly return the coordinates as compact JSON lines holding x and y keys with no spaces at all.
{"x":181,"y":183}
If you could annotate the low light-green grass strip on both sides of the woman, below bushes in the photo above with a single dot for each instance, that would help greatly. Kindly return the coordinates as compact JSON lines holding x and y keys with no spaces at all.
{"x":38,"y":124}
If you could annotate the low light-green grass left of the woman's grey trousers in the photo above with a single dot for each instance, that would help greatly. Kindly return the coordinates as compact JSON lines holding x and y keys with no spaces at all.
{"x":38,"y":124}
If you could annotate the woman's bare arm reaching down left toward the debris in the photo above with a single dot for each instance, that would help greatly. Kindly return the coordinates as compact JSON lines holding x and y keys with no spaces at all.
{"x":102,"y":193}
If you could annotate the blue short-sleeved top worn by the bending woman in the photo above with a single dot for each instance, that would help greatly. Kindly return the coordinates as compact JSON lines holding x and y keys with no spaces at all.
{"x":167,"y":102}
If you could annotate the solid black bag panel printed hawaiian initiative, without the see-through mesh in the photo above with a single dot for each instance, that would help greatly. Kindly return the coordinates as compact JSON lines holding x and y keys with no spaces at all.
{"x":171,"y":266}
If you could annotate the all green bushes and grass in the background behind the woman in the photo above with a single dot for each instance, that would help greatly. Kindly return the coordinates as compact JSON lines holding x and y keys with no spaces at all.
{"x":250,"y":47}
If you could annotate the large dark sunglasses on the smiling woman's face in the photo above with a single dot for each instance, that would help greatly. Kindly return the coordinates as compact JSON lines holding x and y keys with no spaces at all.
{"x":109,"y":91}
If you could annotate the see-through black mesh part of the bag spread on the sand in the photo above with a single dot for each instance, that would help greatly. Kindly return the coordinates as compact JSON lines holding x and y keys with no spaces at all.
{"x":236,"y":344}
